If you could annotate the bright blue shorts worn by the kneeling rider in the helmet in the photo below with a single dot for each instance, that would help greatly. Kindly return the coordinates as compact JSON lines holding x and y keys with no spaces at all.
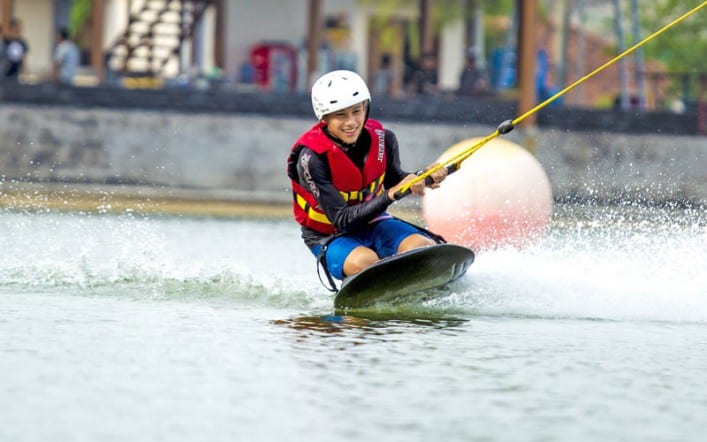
{"x":383,"y":237}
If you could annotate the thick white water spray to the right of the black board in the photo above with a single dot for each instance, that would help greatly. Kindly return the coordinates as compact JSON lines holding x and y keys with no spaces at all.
{"x":650,"y":265}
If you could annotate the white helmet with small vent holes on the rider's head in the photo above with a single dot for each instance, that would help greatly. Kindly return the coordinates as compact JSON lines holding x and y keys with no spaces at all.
{"x":338,"y":90}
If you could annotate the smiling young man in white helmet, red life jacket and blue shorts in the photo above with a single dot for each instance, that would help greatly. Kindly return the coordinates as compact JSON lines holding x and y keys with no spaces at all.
{"x":345,"y":171}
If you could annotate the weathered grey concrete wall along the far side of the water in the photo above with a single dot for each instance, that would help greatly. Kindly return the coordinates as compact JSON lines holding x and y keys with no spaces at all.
{"x":247,"y":153}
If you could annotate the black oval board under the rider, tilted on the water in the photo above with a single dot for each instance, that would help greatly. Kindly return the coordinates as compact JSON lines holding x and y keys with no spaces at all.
{"x":404,"y":277}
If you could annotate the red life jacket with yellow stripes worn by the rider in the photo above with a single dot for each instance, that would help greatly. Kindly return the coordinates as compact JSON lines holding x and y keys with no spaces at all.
{"x":354,"y":185}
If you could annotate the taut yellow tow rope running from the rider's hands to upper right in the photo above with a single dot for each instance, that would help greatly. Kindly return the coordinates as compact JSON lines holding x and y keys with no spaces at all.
{"x":454,"y":163}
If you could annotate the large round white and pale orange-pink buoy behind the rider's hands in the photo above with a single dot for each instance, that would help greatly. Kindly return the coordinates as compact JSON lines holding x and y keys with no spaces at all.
{"x":500,"y":196}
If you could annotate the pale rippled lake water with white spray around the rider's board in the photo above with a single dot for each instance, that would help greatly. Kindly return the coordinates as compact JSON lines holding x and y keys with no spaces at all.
{"x":131,"y":328}
